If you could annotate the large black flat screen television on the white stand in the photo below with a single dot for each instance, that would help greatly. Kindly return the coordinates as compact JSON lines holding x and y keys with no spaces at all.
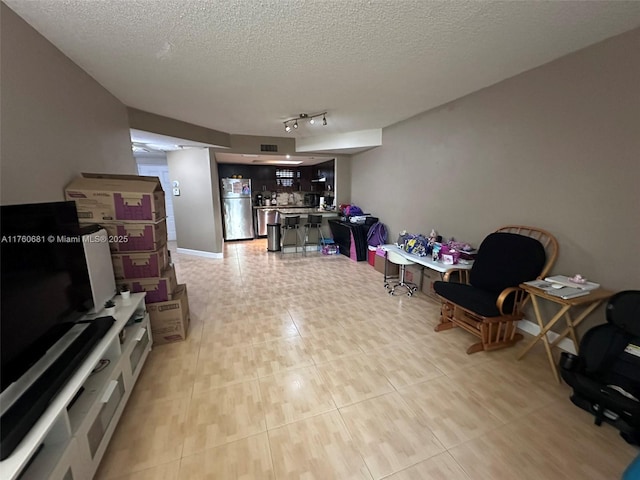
{"x":44,"y":284}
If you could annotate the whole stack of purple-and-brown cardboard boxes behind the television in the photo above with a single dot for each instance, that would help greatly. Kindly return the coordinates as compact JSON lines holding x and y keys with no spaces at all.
{"x":132,"y":210}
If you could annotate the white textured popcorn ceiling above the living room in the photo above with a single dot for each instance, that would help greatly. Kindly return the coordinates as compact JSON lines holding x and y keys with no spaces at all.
{"x":245,"y":66}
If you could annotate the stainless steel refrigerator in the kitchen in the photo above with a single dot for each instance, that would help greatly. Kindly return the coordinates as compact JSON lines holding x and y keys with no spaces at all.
{"x":237,"y":208}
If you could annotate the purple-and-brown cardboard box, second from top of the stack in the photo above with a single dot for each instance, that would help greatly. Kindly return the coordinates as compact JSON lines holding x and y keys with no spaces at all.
{"x":136,"y":237}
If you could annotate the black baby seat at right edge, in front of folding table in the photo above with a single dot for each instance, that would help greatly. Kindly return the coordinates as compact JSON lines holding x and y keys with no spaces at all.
{"x":605,"y":376}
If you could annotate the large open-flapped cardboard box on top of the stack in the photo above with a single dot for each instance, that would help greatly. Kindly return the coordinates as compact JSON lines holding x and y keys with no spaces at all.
{"x":112,"y":198}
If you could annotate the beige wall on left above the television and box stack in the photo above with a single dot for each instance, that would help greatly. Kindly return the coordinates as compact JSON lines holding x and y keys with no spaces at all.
{"x":56,"y":120}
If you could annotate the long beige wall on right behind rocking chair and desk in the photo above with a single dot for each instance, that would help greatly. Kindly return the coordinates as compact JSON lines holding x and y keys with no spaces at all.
{"x":556,"y":147}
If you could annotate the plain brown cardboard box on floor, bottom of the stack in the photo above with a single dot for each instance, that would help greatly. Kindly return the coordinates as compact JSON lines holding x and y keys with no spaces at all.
{"x":170,"y":320}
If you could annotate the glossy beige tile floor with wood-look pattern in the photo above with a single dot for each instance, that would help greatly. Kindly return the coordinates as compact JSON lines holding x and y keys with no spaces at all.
{"x":304,"y":368}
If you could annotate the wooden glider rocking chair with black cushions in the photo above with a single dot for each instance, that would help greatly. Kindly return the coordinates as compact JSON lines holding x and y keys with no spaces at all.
{"x":487,"y":300}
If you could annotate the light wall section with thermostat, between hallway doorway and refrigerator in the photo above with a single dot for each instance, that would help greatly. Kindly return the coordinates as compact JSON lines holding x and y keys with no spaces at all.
{"x":196,"y":209}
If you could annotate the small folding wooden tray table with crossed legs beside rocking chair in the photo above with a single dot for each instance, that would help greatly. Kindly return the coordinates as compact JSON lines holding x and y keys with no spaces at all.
{"x":588,"y":303}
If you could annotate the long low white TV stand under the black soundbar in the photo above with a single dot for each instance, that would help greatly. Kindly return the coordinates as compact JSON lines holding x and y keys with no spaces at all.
{"x":70,"y":438}
